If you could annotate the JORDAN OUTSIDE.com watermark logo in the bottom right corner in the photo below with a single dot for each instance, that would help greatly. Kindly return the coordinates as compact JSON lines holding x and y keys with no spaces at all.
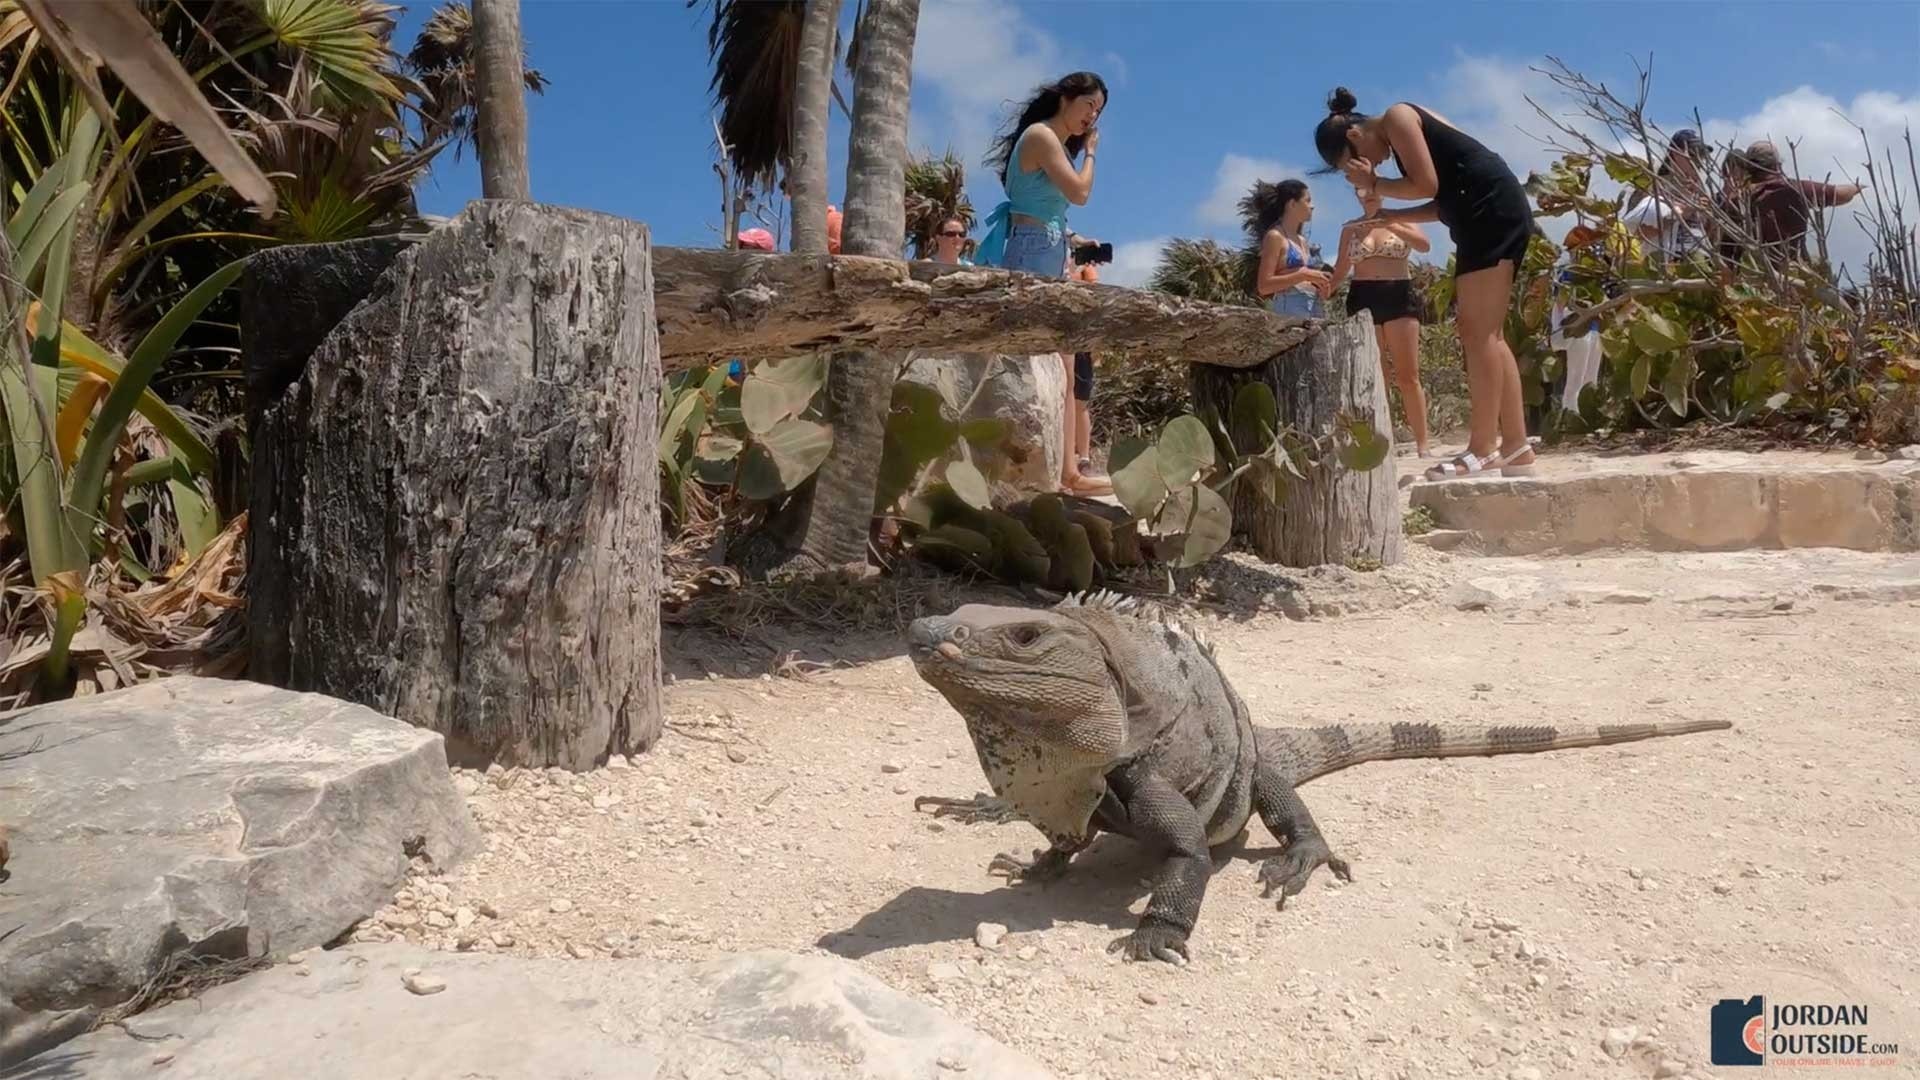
{"x":1748,"y":1033}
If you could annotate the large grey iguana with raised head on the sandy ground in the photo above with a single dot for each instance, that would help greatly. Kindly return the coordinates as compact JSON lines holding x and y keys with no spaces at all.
{"x":1103,"y":714}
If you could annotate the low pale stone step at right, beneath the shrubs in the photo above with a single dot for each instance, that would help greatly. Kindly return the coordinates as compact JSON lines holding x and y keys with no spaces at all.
{"x":1681,"y":503}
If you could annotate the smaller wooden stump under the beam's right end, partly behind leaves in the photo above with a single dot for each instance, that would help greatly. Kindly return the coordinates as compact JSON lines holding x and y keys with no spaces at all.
{"x":1335,"y":514}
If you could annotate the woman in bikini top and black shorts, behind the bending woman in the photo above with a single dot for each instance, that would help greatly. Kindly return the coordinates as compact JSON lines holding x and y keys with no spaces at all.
{"x":1378,"y":257}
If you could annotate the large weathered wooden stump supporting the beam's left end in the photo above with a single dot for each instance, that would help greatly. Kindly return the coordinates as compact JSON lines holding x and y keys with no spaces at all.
{"x":456,"y":506}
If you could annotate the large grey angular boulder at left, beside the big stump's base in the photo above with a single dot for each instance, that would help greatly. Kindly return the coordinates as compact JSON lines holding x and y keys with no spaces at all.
{"x":206,"y":818}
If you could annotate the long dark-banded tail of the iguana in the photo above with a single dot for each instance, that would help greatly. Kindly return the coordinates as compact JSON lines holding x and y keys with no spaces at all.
{"x":1307,"y":754}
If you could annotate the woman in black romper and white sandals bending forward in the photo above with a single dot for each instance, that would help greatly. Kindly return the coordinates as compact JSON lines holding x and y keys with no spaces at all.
{"x":1481,"y":203}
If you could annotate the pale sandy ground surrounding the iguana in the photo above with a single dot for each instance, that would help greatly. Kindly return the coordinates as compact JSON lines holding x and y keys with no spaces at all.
{"x":1522,"y":918}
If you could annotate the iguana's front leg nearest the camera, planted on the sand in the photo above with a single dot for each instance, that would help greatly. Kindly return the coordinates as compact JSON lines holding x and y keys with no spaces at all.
{"x":1161,"y":820}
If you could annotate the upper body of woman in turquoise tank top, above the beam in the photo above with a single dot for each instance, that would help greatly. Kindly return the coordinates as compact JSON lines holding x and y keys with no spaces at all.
{"x":1036,"y":164}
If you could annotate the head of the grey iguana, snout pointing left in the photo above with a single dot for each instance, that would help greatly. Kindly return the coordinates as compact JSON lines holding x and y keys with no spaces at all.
{"x":1040,"y":674}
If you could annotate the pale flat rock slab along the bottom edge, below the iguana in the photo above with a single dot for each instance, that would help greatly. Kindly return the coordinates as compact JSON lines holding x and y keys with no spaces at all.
{"x":348,"y":1016}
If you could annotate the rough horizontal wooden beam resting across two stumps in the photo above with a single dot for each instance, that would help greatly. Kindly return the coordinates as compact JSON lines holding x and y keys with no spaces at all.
{"x":713,"y":307}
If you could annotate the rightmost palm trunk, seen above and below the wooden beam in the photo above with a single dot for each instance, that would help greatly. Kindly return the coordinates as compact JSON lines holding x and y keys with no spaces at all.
{"x":828,"y":522}
